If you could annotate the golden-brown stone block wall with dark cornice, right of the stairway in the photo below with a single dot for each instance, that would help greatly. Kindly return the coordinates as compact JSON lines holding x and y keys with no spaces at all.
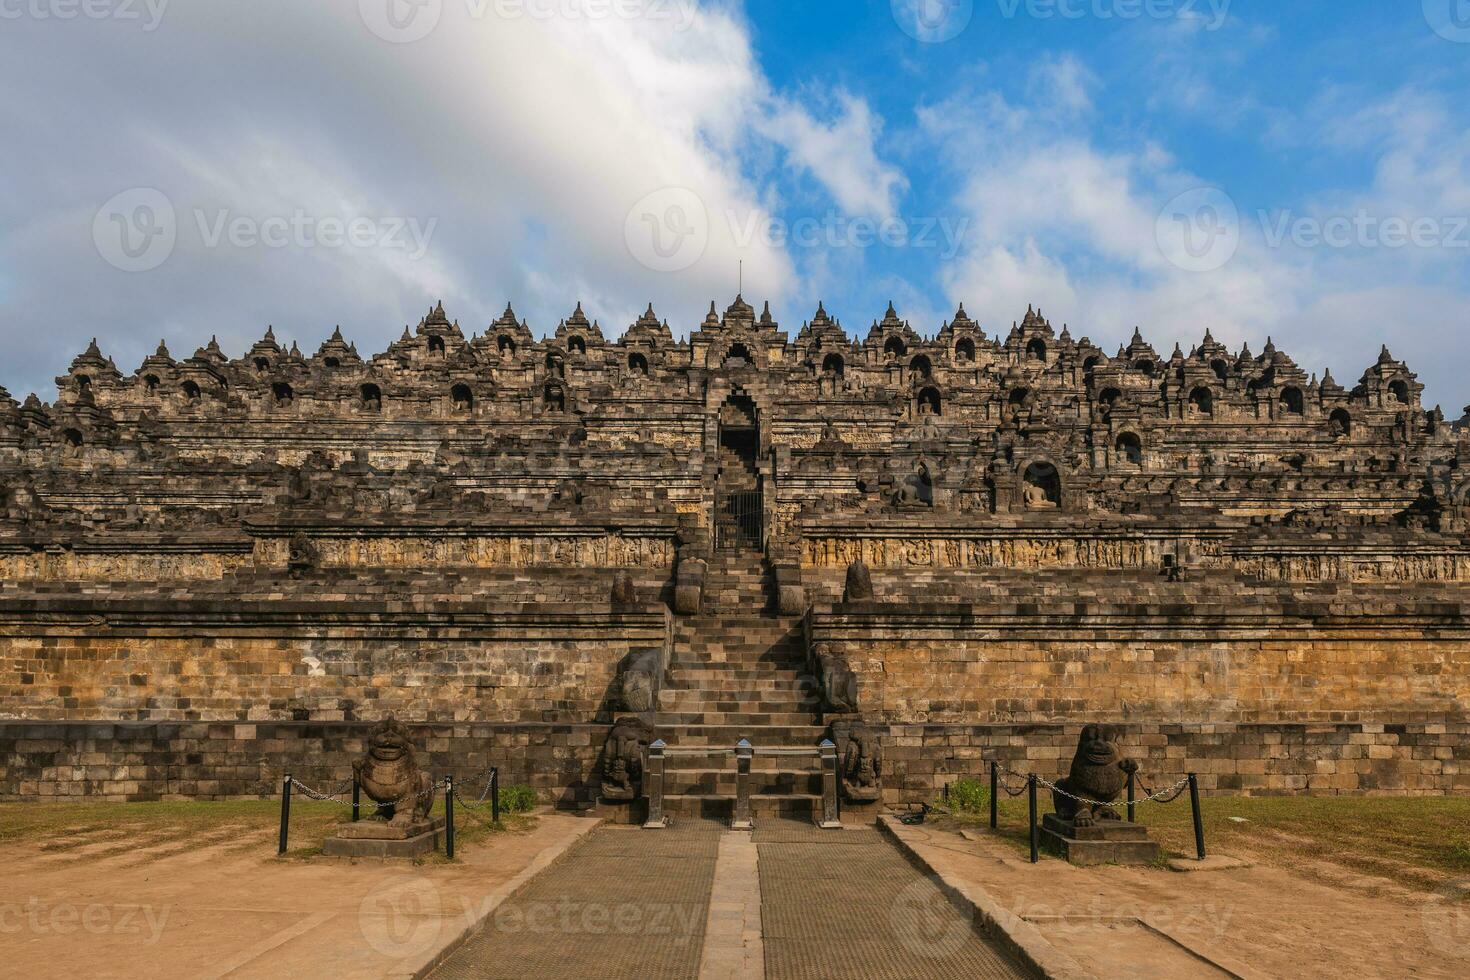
{"x":1193,"y":665}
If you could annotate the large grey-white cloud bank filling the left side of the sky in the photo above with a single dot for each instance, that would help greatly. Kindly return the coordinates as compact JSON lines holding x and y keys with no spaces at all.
{"x":527,"y":140}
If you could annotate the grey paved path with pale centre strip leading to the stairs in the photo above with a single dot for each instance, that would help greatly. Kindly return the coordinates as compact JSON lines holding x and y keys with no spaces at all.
{"x":702,"y":903}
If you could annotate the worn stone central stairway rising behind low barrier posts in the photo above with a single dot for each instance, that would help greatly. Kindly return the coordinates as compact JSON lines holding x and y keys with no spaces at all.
{"x":739,"y":672}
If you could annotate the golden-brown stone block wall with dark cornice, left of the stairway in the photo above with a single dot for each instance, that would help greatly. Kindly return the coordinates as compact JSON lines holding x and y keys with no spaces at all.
{"x":327,"y":662}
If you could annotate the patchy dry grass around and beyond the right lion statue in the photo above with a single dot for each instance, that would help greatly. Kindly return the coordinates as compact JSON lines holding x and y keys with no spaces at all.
{"x":1418,"y":841}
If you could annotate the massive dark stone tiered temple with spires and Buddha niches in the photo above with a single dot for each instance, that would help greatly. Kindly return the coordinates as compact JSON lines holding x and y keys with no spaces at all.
{"x":542,"y":555}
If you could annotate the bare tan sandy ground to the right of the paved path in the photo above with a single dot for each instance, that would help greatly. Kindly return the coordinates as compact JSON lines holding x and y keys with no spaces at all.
{"x":1258,"y":922}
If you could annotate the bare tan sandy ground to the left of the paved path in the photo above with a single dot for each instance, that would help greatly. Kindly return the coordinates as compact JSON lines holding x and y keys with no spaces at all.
{"x":224,"y":907}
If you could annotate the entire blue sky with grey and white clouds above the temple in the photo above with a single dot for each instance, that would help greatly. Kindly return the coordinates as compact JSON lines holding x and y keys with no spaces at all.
{"x":183,"y":168}
